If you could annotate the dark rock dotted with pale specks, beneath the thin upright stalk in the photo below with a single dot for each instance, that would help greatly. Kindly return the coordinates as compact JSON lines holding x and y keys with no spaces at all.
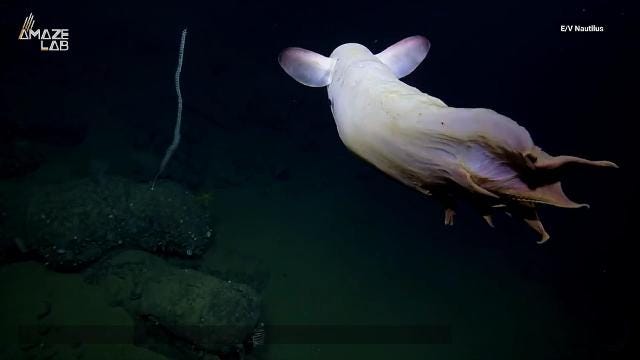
{"x":73,"y":224}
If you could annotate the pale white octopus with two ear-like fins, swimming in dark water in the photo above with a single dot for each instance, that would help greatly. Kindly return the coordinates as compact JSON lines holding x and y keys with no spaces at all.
{"x":420,"y":141}
